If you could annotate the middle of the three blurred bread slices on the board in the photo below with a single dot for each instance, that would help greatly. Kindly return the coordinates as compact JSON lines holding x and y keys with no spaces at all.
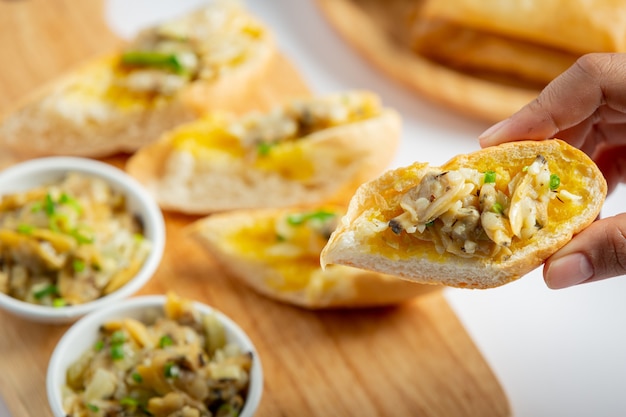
{"x":208,"y":166}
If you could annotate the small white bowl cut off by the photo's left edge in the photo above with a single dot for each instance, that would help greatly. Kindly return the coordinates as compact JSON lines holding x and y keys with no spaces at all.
{"x":34,"y":173}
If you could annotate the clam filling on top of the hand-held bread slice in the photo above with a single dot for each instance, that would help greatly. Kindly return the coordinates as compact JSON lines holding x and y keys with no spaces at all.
{"x":476,"y":214}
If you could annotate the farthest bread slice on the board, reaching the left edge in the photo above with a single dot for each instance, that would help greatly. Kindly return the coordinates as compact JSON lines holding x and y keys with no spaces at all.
{"x":91,"y":111}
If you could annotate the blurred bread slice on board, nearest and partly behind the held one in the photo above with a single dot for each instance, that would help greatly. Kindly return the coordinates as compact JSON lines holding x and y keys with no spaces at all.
{"x":254,"y":248}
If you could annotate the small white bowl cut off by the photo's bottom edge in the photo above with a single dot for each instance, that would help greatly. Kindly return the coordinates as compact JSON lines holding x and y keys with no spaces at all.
{"x":84,"y":333}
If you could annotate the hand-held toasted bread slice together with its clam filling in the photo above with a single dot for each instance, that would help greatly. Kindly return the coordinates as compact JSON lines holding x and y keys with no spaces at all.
{"x":479,"y":221}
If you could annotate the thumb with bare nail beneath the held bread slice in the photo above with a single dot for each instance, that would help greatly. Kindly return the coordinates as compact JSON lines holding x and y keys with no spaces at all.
{"x":596,"y":253}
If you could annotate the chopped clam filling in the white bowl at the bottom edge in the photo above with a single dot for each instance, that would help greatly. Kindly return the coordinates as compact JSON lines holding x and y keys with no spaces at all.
{"x":176,"y":364}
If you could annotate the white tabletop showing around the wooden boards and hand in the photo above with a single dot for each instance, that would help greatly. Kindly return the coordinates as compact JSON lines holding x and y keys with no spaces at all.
{"x":556,"y":353}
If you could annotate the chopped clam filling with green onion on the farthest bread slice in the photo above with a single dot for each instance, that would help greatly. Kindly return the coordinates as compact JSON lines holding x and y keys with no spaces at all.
{"x":198,"y":46}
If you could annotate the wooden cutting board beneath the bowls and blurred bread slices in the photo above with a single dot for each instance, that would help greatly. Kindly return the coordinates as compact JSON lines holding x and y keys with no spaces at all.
{"x":411,"y":360}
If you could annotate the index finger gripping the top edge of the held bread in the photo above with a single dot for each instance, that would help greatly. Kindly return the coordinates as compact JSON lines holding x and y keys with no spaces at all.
{"x":570,"y":99}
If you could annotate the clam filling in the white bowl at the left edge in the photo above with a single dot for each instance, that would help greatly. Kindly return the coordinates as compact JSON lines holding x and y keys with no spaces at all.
{"x":68,"y":242}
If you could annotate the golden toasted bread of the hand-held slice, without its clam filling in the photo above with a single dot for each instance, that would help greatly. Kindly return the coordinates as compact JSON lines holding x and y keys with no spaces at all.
{"x":366,"y":240}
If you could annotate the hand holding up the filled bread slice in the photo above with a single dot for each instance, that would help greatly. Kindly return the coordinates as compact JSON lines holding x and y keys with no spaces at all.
{"x":585,"y":106}
